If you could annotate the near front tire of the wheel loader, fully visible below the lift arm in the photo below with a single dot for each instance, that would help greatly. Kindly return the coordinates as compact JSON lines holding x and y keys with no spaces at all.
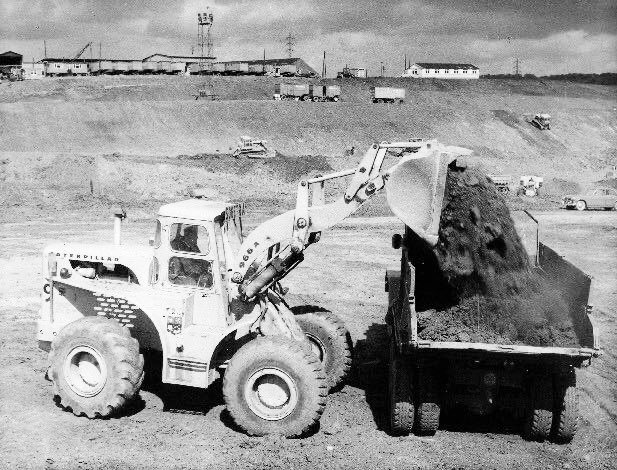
{"x":275,"y":385}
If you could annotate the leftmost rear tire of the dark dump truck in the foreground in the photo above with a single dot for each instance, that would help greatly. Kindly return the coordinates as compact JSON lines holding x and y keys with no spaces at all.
{"x":402,"y":410}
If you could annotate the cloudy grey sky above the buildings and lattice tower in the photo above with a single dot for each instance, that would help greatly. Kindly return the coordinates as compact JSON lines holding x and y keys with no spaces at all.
{"x":547,"y":36}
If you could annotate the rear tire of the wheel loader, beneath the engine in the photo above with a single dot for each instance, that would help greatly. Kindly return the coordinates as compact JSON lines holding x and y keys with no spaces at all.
{"x":95,"y":367}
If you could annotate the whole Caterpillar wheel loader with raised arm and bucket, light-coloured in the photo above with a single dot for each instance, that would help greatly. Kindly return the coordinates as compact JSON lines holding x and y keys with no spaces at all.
{"x":209,"y":300}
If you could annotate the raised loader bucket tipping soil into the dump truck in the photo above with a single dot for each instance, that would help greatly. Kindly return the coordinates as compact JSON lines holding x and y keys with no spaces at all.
{"x":416,"y":185}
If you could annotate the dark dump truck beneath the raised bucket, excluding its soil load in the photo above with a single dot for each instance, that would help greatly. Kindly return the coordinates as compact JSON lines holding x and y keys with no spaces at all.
{"x":535,"y":383}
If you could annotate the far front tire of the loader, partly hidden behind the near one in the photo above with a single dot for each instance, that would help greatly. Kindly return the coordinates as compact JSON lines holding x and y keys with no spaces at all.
{"x":331,"y":343}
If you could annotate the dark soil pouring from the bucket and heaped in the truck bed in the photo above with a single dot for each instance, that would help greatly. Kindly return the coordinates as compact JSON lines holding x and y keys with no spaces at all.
{"x":493,"y":294}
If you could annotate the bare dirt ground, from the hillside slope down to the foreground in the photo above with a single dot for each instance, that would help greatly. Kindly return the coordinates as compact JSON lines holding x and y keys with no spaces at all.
{"x":73,"y":150}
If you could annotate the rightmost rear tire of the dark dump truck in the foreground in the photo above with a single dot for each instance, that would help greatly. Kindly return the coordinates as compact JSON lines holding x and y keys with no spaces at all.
{"x":565,"y":411}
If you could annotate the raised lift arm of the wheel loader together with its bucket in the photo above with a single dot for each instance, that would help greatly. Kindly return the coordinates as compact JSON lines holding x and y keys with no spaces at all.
{"x":414,"y":187}
